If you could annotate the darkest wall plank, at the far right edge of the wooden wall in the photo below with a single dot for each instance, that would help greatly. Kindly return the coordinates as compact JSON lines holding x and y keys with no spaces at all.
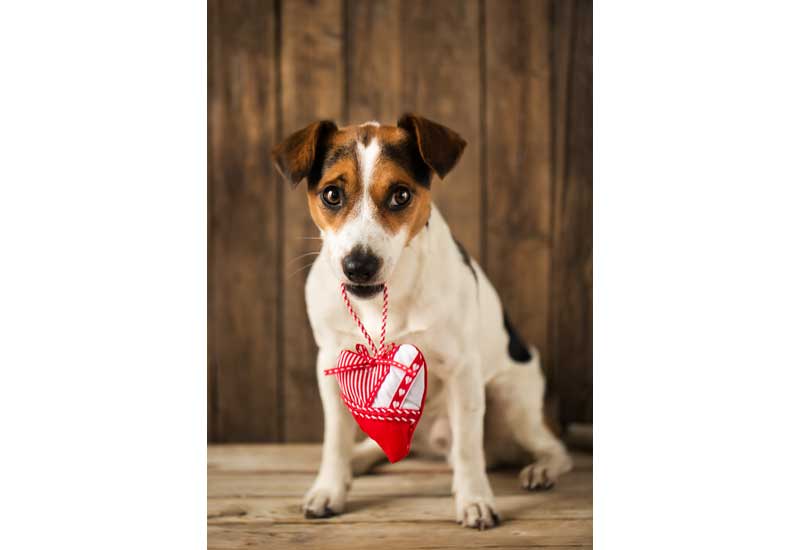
{"x":571,"y":312}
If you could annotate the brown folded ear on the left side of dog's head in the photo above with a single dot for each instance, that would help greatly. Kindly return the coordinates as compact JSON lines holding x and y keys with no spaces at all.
{"x":301,"y":153}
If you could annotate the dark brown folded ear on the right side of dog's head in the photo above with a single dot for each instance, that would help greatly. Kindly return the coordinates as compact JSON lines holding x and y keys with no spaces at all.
{"x":439,"y":146}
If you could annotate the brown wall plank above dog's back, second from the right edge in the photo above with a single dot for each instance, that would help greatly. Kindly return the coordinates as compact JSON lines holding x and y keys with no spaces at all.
{"x":519,"y":157}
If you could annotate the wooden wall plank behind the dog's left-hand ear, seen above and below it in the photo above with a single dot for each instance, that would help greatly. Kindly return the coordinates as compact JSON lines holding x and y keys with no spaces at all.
{"x":312,"y":77}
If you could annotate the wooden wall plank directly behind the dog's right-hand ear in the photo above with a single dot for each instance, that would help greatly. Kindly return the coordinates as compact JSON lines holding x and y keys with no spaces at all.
{"x":441,"y":81}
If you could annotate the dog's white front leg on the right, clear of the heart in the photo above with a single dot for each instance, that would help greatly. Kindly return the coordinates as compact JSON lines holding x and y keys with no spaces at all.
{"x":466,"y":402}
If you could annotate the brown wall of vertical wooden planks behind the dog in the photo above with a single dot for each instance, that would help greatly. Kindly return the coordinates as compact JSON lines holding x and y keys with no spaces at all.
{"x":514,"y":77}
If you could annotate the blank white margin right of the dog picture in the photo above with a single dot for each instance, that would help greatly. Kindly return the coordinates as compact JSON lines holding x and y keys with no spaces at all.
{"x":696,"y":274}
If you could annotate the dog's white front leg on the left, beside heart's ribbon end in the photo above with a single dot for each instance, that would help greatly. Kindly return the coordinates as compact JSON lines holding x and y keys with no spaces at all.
{"x":327,"y":496}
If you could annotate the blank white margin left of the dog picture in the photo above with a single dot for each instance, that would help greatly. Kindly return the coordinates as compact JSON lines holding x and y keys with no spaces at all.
{"x":103,"y":274}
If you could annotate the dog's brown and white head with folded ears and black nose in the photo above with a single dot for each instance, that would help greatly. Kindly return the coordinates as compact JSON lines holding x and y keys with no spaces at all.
{"x":368,"y":189}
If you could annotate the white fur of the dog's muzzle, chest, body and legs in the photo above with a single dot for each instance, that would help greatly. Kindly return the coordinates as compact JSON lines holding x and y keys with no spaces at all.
{"x":436,"y":305}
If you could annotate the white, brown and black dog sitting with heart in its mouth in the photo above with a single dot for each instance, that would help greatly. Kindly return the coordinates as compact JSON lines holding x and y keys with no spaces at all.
{"x":369,"y":193}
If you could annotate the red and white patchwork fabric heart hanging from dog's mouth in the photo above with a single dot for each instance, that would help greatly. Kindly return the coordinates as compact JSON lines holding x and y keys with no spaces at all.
{"x":385,"y":393}
